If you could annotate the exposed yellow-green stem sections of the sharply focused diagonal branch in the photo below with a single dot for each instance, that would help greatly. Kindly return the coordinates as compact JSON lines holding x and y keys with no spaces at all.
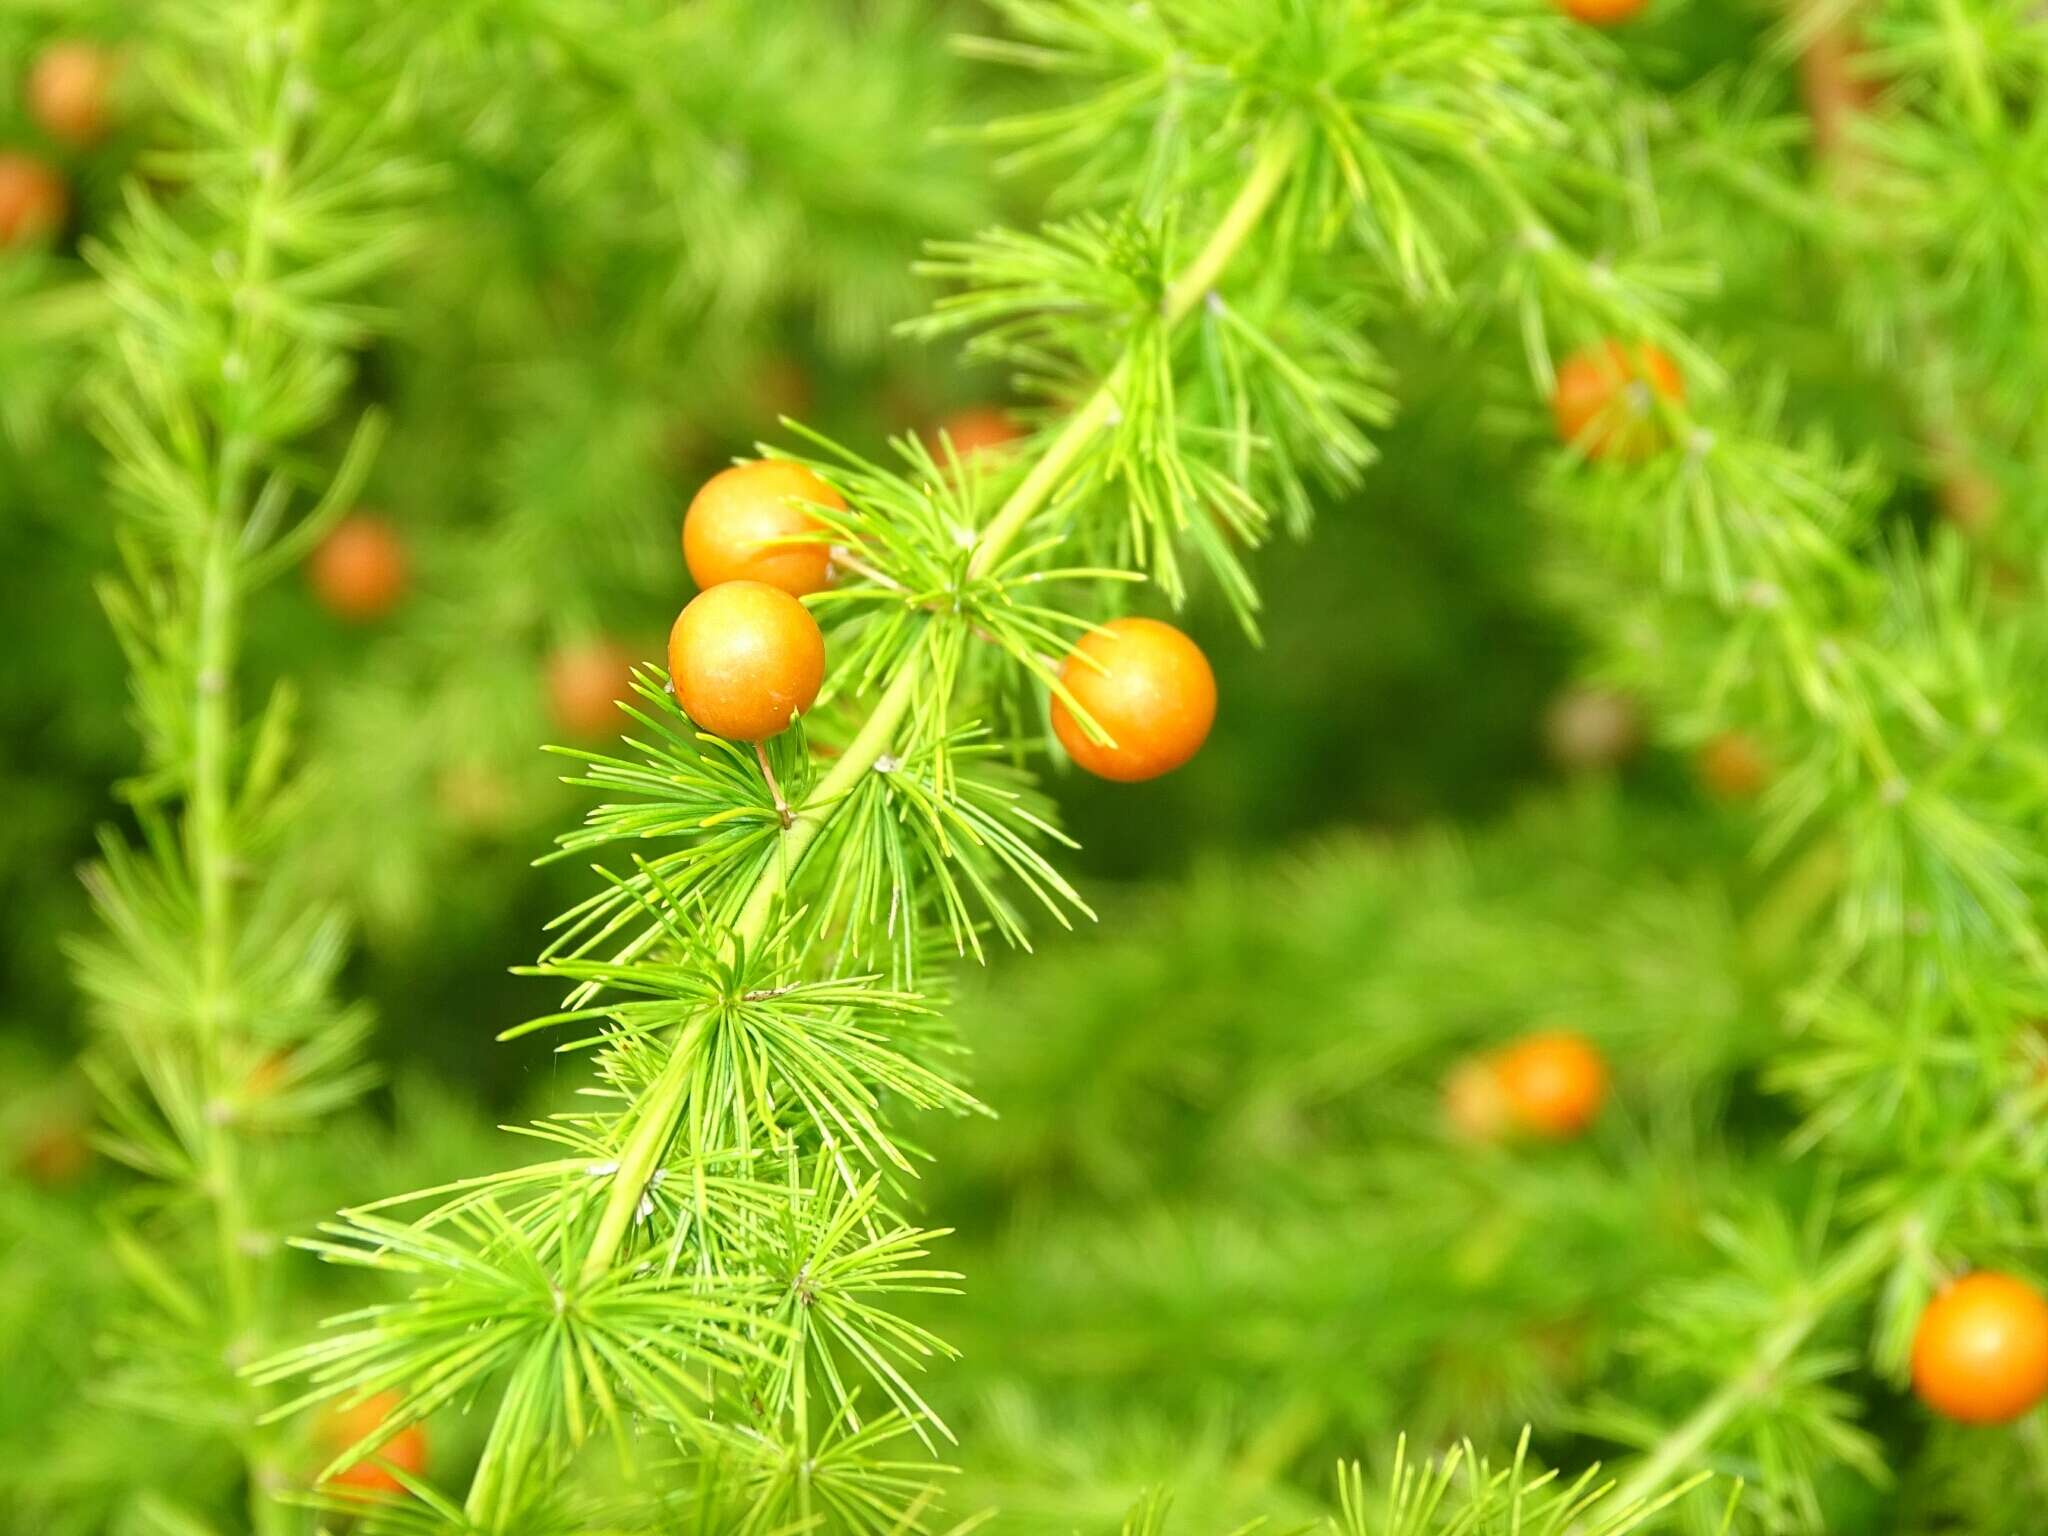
{"x":660,"y":1113}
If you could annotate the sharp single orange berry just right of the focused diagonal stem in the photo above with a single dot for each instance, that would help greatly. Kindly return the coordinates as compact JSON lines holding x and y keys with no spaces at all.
{"x":1144,"y":683}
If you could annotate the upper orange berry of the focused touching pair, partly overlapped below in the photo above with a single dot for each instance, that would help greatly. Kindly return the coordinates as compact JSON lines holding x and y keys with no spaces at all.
{"x":736,"y":521}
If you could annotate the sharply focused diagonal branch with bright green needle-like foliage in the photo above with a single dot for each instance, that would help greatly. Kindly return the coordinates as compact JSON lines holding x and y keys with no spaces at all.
{"x":734,"y":1250}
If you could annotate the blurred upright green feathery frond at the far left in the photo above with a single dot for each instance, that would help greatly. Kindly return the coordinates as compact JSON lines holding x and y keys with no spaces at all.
{"x":210,"y":982}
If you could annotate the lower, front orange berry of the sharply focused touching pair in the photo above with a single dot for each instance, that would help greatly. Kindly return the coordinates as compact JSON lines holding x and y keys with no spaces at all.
{"x":744,"y":658}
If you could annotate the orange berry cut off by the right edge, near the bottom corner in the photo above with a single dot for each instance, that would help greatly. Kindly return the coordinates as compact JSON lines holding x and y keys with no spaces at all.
{"x":1981,"y":1349}
